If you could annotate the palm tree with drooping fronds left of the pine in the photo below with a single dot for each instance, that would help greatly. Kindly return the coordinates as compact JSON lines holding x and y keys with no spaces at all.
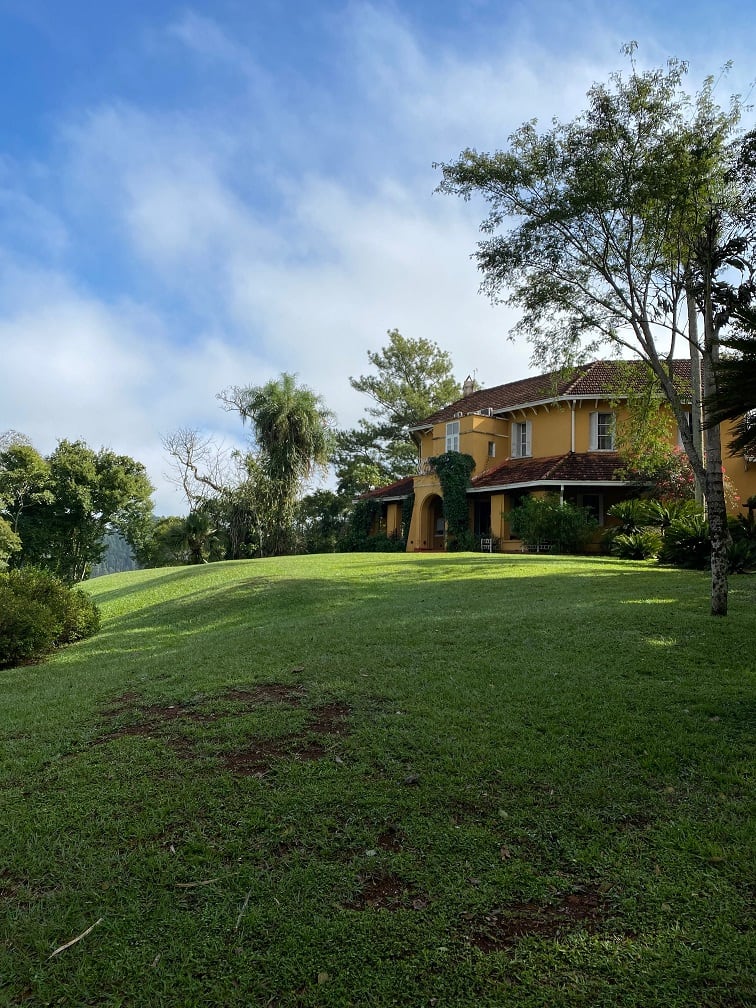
{"x":293,"y":431}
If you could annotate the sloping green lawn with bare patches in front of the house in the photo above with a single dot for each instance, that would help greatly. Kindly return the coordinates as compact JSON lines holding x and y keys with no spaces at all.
{"x":373,"y":781}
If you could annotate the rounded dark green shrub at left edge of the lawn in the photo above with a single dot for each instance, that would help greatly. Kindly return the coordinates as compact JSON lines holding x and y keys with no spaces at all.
{"x":39,"y":612}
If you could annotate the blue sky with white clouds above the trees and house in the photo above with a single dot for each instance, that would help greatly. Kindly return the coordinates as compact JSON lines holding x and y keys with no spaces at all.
{"x":197,"y":196}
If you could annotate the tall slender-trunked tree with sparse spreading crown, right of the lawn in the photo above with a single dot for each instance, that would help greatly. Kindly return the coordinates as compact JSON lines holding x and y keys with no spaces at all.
{"x":601,"y":228}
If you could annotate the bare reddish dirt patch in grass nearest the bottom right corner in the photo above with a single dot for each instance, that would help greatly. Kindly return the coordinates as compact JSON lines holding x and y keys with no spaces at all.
{"x":583,"y":910}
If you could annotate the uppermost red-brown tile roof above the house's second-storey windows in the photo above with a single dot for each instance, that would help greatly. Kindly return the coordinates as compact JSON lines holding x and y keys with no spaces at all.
{"x":602,"y":379}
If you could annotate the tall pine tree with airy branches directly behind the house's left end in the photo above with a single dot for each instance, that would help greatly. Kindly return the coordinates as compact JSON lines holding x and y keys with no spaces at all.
{"x":413,"y":380}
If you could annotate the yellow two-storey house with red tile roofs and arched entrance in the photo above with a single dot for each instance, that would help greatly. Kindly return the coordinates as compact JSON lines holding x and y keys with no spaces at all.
{"x":549,"y":434}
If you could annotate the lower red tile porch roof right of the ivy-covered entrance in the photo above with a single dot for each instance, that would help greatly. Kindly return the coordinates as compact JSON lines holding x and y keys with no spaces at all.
{"x":591,"y":467}
